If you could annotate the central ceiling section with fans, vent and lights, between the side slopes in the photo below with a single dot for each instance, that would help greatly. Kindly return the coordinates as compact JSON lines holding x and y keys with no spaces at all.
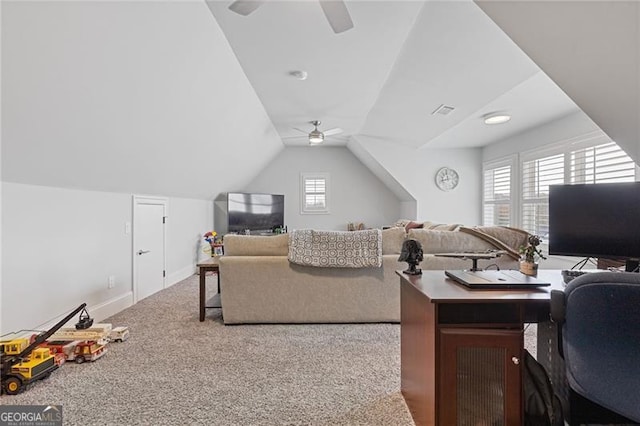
{"x":385,"y":77}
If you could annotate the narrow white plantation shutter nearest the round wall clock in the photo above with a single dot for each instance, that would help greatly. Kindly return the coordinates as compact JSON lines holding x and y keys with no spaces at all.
{"x":497,"y":196}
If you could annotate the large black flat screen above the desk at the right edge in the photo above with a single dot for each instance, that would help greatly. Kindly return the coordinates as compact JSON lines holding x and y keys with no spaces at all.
{"x":596,"y":220}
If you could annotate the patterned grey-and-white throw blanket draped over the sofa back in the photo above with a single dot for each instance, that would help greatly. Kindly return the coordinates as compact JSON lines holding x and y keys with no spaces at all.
{"x":336,"y":249}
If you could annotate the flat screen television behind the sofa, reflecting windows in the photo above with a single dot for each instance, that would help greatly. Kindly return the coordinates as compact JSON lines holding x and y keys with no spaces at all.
{"x":255,"y":212}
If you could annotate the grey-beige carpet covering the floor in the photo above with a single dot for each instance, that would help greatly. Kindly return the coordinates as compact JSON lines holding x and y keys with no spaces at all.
{"x":175,"y":370}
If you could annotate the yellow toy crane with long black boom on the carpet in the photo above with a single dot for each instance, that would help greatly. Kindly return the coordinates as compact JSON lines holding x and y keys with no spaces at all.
{"x":24,"y":362}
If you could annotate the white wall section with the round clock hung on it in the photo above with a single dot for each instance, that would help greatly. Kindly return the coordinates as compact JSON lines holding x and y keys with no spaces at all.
{"x":415,"y":170}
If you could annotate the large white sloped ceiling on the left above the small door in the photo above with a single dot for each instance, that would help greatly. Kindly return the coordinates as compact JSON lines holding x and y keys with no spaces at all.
{"x":141,"y":97}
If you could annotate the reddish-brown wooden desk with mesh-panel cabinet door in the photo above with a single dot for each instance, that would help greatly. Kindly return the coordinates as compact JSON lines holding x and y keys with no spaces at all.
{"x":461,"y":348}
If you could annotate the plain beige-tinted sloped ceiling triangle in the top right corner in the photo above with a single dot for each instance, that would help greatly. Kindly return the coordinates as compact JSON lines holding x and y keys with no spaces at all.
{"x":589,"y":48}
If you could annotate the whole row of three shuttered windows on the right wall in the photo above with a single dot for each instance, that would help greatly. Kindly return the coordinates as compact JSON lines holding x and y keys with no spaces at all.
{"x":524,"y":180}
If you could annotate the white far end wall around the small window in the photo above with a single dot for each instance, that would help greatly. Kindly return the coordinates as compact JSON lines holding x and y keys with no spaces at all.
{"x":356,"y":195}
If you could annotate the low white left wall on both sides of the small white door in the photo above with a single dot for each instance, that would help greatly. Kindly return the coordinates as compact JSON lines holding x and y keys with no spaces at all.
{"x":59,"y":246}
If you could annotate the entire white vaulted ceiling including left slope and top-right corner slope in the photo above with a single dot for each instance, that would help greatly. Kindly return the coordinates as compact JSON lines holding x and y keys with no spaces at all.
{"x":178,"y":98}
